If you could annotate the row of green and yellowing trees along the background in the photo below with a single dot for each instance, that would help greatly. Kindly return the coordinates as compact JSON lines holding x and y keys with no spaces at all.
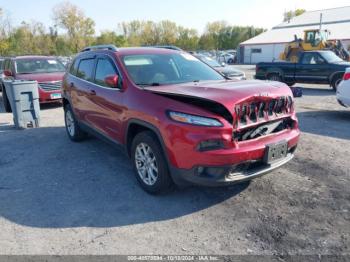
{"x":72,"y":30}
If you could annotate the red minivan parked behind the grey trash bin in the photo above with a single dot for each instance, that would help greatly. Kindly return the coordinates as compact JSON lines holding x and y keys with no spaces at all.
{"x":48,"y":71}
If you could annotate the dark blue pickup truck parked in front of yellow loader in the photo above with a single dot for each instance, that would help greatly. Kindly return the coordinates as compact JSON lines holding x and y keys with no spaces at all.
{"x":313,"y":67}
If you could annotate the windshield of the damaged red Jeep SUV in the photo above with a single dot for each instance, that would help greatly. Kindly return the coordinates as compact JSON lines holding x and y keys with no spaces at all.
{"x":160,"y":69}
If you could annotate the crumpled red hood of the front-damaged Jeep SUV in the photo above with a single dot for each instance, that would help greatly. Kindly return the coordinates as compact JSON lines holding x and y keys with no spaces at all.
{"x":228,"y":93}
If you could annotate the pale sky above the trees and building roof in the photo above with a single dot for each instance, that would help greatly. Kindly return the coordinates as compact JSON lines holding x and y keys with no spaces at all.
{"x":189,"y":13}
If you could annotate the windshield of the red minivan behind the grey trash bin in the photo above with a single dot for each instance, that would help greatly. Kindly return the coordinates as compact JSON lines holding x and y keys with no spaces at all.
{"x":38,"y":65}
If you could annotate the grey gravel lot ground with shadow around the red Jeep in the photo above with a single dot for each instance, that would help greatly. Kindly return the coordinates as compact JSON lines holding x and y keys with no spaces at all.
{"x":59,"y":197}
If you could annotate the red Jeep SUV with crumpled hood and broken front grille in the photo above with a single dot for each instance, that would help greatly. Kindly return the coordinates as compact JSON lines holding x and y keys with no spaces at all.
{"x":178,"y":119}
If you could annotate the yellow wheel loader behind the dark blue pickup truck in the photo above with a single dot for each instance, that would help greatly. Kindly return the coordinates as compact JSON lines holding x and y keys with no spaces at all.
{"x":315,"y":39}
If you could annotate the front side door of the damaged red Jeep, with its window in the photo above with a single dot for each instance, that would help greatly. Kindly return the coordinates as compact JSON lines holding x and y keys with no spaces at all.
{"x":105,"y":100}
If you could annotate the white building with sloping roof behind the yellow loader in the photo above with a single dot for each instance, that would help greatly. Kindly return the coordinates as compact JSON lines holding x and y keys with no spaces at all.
{"x":267,"y":46}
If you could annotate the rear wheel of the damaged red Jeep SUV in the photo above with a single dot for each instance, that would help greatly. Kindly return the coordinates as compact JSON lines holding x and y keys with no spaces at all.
{"x":74,"y":132}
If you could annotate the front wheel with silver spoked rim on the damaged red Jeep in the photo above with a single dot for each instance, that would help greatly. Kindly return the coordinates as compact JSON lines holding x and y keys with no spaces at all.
{"x":150,"y":165}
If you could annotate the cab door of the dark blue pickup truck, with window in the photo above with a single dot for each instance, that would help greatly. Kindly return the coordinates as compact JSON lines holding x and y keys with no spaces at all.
{"x":312,"y":69}
